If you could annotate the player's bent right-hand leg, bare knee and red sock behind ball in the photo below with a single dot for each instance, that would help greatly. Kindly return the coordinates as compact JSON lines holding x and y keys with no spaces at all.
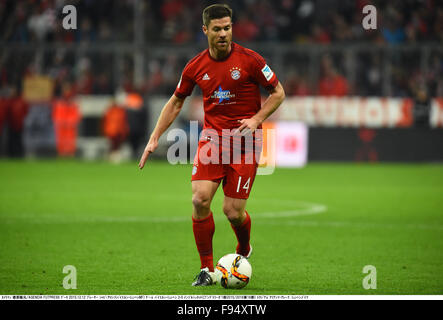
{"x":234,"y":209}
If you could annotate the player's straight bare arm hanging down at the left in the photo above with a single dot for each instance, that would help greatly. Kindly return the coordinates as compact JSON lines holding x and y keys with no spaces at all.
{"x":167,"y":116}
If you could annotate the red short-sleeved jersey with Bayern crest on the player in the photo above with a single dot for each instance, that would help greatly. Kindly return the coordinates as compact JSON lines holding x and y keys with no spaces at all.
{"x":230,"y":86}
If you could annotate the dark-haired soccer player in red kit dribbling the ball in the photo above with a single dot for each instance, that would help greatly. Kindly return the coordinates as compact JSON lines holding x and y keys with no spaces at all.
{"x":229,"y":76}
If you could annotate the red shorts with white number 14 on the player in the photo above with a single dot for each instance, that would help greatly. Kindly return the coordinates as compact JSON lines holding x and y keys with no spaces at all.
{"x":237,"y":177}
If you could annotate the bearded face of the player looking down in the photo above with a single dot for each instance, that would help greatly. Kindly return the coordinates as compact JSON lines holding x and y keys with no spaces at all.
{"x":219,"y":33}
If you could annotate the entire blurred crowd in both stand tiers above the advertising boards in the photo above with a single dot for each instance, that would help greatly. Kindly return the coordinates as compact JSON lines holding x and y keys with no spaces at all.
{"x":264,"y":23}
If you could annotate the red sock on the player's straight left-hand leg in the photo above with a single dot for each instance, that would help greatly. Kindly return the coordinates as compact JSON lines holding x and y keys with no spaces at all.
{"x":203,"y":232}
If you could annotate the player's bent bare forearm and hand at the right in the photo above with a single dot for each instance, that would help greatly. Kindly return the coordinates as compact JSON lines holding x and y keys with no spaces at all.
{"x":276,"y":97}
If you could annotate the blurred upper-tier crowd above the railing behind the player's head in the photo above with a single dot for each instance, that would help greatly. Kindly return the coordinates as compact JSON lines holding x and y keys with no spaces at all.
{"x":179,"y":21}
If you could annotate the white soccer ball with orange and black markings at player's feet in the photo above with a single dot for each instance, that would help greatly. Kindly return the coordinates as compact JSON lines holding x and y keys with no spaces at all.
{"x":233,"y":271}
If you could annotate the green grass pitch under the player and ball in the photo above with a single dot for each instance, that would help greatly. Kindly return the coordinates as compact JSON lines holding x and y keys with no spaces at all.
{"x":129,"y":231}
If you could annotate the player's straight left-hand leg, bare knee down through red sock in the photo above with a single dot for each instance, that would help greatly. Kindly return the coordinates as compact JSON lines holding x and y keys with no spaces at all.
{"x":202,"y":220}
